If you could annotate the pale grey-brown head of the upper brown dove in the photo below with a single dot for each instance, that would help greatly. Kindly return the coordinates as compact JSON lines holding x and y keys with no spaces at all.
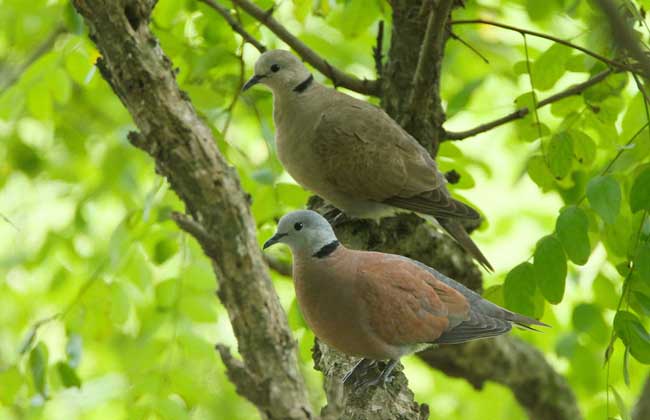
{"x":280,"y":70}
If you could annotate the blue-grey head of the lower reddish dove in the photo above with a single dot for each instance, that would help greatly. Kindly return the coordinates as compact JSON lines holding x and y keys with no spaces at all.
{"x":305,"y":231}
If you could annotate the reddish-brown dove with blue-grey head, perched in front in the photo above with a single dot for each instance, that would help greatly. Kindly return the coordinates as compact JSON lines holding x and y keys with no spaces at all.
{"x":380,"y":306}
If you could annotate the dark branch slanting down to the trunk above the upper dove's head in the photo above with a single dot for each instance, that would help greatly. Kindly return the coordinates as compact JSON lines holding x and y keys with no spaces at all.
{"x":338,"y":77}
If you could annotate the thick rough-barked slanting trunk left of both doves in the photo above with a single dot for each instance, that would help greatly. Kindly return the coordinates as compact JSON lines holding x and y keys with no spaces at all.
{"x":218,"y":214}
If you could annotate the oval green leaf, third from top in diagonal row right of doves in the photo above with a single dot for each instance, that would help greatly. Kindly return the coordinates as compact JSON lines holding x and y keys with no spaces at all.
{"x":551,"y":269}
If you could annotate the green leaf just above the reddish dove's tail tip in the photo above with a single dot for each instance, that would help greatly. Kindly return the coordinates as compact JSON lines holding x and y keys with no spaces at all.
{"x":519,"y":290}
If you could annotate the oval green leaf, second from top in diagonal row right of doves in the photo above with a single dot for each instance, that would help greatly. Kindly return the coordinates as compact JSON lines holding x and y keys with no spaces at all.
{"x":571,"y":227}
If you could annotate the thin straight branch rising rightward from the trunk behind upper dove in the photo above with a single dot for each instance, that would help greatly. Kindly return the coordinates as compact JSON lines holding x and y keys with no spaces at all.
{"x":522,"y":112}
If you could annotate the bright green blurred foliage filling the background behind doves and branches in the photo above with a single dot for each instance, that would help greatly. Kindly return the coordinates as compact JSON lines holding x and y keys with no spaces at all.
{"x":107,"y":310}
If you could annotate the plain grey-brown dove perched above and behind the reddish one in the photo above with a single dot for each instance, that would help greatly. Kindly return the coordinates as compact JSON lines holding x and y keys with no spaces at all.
{"x":352,"y":153}
